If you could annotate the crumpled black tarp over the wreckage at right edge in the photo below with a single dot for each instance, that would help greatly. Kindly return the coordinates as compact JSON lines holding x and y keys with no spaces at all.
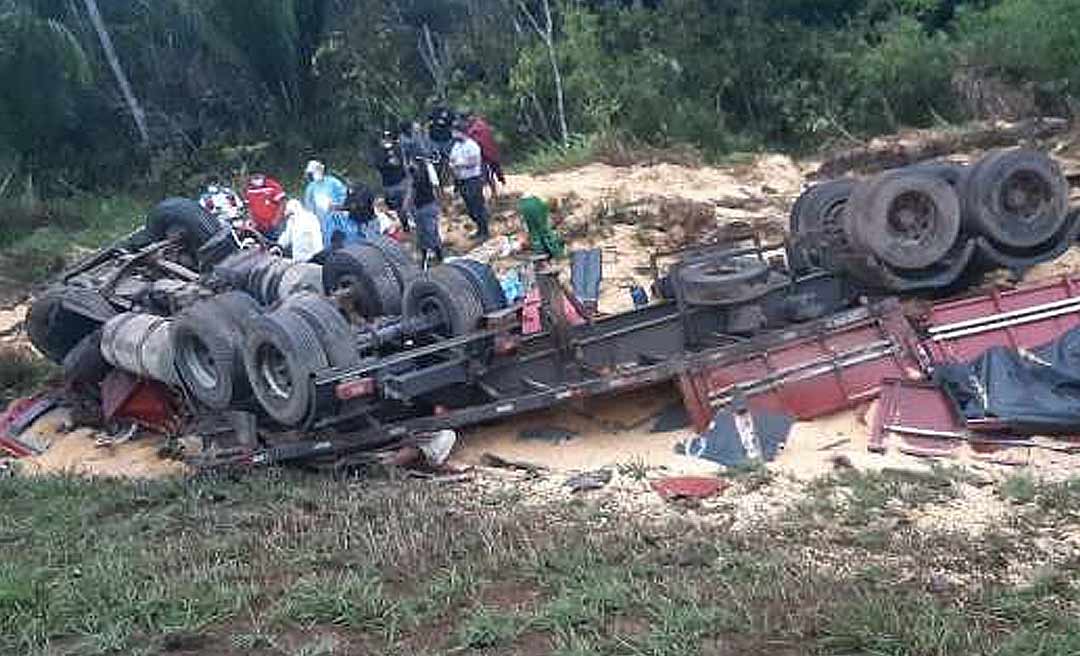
{"x":1036,"y":393}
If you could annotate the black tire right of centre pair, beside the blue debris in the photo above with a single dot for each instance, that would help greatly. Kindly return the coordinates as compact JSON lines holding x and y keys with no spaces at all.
{"x":448,"y":294}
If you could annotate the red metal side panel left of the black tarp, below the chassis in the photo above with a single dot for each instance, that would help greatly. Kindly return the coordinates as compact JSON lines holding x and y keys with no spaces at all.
{"x":814,"y":377}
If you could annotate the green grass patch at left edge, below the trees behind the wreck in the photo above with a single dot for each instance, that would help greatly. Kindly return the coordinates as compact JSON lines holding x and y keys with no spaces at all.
{"x":38,"y":242}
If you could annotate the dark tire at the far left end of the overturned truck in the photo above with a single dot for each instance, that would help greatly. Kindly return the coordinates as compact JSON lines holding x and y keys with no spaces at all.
{"x":62,"y":317}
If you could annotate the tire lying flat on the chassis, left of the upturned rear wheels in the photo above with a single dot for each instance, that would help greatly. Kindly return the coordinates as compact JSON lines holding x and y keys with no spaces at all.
{"x":723,"y":280}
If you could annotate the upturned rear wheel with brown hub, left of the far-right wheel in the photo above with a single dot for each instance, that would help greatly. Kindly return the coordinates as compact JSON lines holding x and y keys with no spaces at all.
{"x":909,"y":221}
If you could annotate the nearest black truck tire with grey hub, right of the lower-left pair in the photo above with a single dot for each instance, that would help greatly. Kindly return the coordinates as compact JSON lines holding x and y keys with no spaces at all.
{"x":281,"y":354}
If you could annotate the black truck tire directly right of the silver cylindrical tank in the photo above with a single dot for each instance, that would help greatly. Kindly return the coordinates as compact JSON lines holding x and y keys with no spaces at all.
{"x":209,"y":342}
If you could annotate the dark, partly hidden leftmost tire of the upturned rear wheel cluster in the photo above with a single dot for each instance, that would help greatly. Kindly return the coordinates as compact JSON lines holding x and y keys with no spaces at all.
{"x":817,"y":222}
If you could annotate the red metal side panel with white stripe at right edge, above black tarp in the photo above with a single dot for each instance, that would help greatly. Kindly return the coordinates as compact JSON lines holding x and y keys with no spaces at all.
{"x":1025,"y":334}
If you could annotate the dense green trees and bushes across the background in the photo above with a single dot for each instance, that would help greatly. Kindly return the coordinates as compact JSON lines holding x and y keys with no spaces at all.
{"x":206,"y":85}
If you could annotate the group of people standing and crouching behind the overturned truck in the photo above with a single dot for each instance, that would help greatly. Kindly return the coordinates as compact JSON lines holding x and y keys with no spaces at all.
{"x":332,"y":215}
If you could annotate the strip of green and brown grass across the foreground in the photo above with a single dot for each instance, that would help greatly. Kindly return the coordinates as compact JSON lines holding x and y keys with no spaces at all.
{"x":288,"y":564}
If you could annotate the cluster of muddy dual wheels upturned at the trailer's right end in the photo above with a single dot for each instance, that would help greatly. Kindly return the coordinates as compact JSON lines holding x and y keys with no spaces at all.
{"x":928,"y":226}
